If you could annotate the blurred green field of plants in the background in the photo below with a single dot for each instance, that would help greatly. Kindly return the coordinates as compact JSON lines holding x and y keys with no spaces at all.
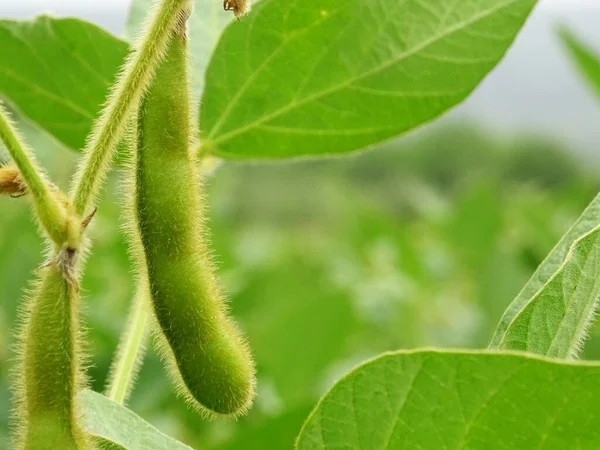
{"x":422,"y":242}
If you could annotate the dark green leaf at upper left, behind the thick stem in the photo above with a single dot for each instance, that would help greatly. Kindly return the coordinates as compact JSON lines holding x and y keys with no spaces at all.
{"x":57,"y":72}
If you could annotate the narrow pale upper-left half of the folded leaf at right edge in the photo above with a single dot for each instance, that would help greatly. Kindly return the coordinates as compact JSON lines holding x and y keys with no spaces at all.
{"x":589,"y":220}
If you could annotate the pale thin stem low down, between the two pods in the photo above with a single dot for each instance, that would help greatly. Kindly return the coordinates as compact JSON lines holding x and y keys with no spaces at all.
{"x":131,"y":350}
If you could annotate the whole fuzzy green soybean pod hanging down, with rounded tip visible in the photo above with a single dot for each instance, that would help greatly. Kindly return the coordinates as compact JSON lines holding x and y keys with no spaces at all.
{"x":208,"y":356}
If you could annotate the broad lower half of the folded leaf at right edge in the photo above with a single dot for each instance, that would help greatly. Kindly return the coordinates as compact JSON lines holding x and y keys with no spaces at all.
{"x":555,"y":321}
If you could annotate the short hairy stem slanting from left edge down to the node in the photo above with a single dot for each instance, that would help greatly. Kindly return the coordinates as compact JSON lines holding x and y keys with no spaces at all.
{"x":51,"y":214}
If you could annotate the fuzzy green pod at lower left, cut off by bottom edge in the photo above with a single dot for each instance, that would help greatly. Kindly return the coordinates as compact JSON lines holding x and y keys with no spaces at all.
{"x":49,"y":374}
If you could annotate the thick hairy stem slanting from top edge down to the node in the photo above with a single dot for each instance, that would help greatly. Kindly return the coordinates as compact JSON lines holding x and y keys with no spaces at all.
{"x":130,"y":86}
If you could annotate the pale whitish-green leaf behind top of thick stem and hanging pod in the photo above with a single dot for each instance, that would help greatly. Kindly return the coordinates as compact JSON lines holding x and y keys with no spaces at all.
{"x":205,"y":26}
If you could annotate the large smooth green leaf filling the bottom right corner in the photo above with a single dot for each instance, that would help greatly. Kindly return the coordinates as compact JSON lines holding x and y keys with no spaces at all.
{"x":450,"y":400}
